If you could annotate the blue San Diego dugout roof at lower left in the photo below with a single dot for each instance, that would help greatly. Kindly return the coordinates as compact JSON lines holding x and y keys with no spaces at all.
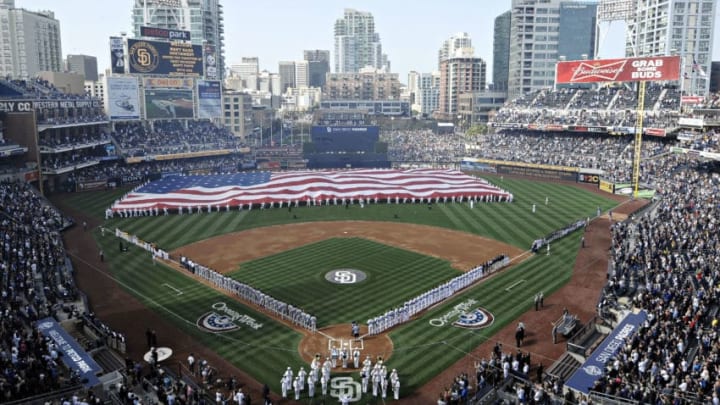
{"x":74,"y":356}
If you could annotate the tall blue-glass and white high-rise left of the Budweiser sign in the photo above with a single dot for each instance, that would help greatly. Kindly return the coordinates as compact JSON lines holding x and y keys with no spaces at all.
{"x":535,"y":41}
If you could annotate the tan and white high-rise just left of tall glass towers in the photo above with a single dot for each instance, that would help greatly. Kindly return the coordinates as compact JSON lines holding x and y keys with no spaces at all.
{"x":460,"y":73}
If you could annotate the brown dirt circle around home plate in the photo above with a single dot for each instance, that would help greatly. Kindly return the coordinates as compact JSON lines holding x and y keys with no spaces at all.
{"x":339,"y":336}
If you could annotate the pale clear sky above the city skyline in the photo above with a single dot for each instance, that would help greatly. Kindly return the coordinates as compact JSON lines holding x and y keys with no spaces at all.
{"x":411,"y":31}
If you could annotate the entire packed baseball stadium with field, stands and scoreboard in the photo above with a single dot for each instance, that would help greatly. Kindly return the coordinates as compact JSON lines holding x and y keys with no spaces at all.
{"x":565,"y":252}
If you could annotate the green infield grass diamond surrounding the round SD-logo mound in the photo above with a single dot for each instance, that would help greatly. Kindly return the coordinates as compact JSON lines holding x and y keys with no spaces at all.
{"x":297,"y":276}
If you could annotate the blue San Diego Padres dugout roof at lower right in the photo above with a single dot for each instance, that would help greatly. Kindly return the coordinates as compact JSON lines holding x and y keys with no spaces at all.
{"x":584,"y":378}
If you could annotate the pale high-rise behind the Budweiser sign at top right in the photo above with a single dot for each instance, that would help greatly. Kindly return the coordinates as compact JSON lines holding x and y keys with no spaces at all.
{"x":676,"y":27}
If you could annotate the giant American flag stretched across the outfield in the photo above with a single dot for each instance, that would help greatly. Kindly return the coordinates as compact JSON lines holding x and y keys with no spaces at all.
{"x":309,"y":187}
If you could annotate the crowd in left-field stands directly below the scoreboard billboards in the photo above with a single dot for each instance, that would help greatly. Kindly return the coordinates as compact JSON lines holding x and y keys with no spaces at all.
{"x":173,"y":136}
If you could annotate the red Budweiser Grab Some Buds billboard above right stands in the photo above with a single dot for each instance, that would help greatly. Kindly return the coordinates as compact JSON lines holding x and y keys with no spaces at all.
{"x":654,"y":68}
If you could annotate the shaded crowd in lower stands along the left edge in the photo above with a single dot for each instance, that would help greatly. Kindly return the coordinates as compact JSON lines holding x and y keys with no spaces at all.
{"x":34,"y":281}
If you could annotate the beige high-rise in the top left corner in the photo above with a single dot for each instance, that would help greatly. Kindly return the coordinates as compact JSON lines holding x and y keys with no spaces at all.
{"x":31,"y":41}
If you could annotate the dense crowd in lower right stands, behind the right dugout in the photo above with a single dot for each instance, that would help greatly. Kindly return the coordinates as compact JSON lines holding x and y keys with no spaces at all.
{"x":666,"y":262}
